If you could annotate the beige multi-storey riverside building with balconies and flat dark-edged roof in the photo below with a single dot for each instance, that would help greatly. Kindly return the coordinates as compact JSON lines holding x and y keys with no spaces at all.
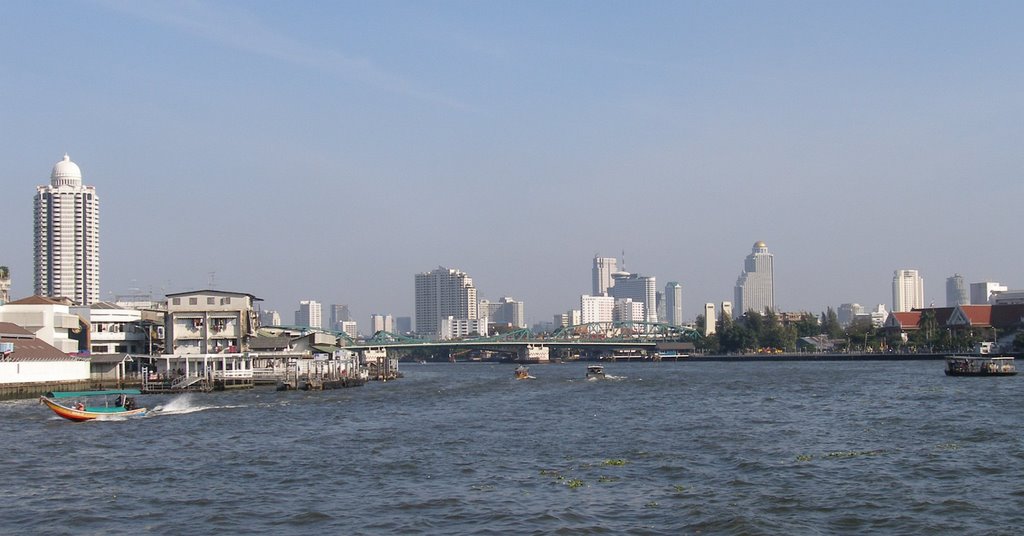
{"x":210,"y":322}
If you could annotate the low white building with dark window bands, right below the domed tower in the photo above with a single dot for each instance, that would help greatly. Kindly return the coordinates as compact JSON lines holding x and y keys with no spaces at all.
{"x":115,"y":329}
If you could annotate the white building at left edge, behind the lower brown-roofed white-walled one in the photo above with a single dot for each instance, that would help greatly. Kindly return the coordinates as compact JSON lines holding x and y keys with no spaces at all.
{"x":51,"y":320}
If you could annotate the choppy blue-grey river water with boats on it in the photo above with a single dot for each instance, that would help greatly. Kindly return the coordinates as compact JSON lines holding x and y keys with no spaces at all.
{"x":665,"y":448}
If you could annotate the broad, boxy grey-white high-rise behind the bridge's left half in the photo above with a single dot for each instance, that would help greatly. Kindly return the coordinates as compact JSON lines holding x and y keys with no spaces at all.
{"x":443,"y":294}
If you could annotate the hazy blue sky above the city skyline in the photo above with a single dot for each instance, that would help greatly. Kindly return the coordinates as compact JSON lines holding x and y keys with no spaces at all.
{"x":331,"y":151}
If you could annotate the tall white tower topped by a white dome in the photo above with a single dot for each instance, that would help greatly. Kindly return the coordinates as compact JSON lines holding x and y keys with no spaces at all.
{"x":67,"y":237}
